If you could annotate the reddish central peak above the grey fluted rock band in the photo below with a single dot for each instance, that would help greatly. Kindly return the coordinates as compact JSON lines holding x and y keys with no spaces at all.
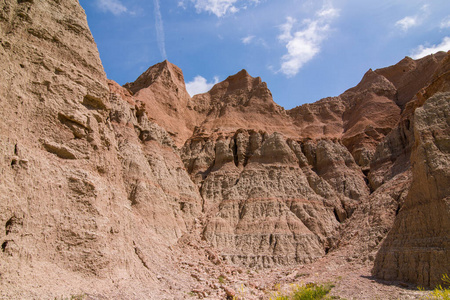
{"x":241,"y":102}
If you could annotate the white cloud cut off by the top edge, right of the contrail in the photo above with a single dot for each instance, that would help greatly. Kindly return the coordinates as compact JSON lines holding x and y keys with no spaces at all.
{"x":219,"y":7}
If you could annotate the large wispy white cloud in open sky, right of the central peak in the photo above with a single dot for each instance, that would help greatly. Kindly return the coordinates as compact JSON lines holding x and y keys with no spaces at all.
{"x":304,"y":44}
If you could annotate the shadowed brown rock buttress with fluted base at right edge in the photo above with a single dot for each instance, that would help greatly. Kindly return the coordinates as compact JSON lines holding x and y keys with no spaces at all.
{"x":417,"y":249}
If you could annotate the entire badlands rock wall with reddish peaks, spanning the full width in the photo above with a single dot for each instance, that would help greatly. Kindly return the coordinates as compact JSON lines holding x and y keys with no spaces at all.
{"x":106,"y":189}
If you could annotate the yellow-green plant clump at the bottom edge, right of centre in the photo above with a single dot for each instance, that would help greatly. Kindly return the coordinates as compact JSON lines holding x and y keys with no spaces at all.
{"x":309,"y":291}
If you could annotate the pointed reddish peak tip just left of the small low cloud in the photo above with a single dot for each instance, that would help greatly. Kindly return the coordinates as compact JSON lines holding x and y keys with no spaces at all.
{"x":164,"y":71}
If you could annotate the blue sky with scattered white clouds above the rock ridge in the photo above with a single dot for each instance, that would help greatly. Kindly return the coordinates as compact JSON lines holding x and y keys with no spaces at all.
{"x":305,"y":50}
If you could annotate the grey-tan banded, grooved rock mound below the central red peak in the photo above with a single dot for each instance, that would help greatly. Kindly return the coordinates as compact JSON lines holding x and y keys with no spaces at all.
{"x":264,"y":203}
